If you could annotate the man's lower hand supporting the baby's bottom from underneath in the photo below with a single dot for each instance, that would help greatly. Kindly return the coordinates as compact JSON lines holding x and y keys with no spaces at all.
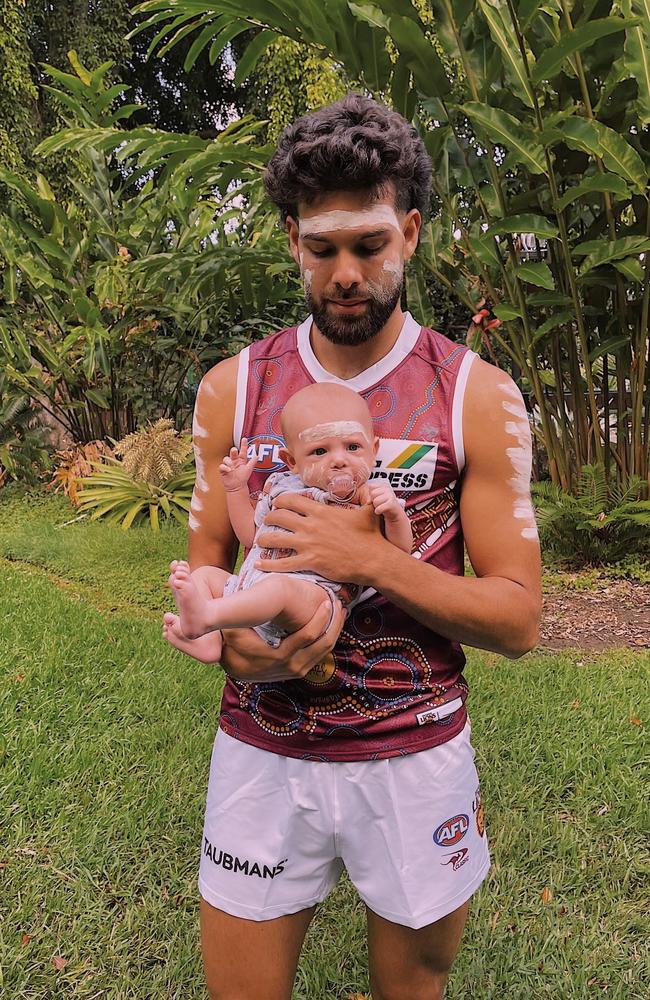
{"x":246,"y":657}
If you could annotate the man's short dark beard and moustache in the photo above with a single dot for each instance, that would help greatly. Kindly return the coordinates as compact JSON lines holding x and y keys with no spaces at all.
{"x":350,"y":331}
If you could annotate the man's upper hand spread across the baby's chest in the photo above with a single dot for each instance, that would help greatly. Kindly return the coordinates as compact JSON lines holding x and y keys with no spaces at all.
{"x":336,"y":542}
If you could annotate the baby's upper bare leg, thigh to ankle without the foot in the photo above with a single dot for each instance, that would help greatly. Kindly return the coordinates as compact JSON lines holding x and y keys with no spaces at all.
{"x":288,"y":601}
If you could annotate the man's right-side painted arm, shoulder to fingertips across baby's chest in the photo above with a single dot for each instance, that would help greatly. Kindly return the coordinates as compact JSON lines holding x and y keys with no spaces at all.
{"x":499,"y":609}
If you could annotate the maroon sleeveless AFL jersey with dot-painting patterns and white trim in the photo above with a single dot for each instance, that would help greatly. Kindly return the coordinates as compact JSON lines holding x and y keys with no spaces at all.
{"x":391,"y":685}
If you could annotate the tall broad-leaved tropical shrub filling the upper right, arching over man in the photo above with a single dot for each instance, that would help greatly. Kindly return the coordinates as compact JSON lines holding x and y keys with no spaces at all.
{"x":536,"y":117}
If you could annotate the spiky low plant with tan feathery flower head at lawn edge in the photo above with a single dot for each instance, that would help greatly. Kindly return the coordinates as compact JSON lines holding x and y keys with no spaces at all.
{"x":155,"y":477}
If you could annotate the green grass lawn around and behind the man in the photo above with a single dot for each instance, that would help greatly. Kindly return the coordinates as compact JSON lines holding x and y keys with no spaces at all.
{"x":105,"y":736}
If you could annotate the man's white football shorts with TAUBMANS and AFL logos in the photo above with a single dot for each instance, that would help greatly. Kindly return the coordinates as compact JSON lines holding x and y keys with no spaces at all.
{"x":279,"y":830}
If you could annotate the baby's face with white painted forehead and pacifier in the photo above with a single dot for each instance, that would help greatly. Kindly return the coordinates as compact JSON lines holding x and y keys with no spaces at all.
{"x":337,"y":456}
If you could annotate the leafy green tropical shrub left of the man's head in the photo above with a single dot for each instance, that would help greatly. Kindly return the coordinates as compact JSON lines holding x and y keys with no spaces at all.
{"x":111,"y":307}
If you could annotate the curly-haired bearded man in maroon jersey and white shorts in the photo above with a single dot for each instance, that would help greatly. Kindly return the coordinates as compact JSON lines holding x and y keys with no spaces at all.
{"x":353,"y":748}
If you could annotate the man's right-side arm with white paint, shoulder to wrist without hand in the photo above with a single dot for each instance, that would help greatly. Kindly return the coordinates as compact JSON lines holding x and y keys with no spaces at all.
{"x":500,"y":608}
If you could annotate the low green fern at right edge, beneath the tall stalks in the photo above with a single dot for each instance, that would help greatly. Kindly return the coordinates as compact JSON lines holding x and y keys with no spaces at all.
{"x":601,"y":524}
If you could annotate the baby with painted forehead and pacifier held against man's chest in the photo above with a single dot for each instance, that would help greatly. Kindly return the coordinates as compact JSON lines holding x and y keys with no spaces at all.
{"x":328,"y":460}
